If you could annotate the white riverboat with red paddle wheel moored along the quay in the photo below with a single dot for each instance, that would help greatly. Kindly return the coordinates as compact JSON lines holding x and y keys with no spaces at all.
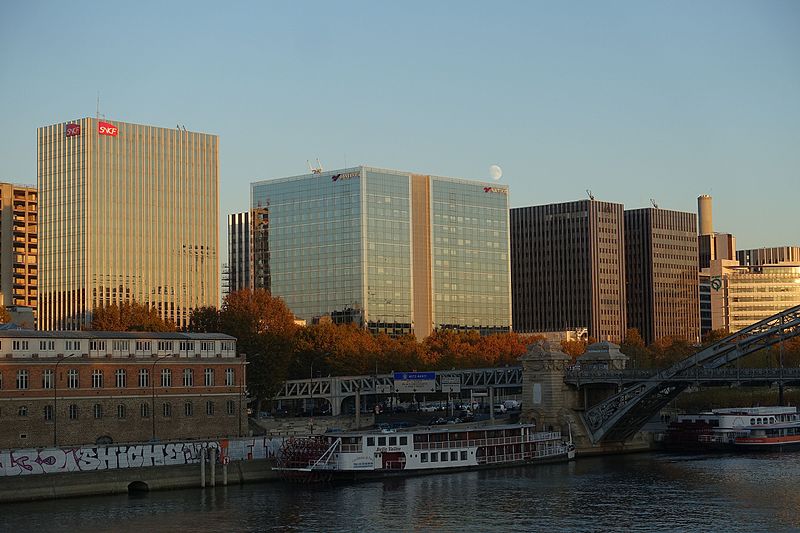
{"x":370,"y":454}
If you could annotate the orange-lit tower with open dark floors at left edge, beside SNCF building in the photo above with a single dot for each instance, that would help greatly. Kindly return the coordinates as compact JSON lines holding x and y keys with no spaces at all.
{"x":18,"y":245}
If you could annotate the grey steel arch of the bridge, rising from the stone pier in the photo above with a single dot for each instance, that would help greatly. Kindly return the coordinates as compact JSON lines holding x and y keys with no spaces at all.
{"x":620,"y":416}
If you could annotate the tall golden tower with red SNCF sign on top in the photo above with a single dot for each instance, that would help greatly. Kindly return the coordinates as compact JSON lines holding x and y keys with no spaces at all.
{"x":127,"y":212}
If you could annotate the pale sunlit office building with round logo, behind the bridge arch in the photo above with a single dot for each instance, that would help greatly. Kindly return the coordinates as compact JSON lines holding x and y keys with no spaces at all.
{"x":742,"y":295}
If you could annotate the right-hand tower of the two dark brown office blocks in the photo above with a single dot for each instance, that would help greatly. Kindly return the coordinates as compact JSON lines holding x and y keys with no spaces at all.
{"x":661,"y":273}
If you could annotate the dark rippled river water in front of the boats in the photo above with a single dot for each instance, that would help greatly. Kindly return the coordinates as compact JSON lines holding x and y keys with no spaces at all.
{"x":641,"y":492}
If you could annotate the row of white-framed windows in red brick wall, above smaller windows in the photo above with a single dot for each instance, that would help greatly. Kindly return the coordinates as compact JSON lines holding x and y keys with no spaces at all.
{"x":121,"y":378}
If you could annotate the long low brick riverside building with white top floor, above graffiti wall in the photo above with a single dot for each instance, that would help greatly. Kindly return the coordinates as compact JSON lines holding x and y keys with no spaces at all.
{"x":65,"y":388}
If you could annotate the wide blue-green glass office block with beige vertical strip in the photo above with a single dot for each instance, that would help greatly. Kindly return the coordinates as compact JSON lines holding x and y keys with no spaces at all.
{"x":392,"y":251}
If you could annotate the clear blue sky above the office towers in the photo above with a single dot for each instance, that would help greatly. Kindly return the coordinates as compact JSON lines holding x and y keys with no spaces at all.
{"x":631,"y":99}
